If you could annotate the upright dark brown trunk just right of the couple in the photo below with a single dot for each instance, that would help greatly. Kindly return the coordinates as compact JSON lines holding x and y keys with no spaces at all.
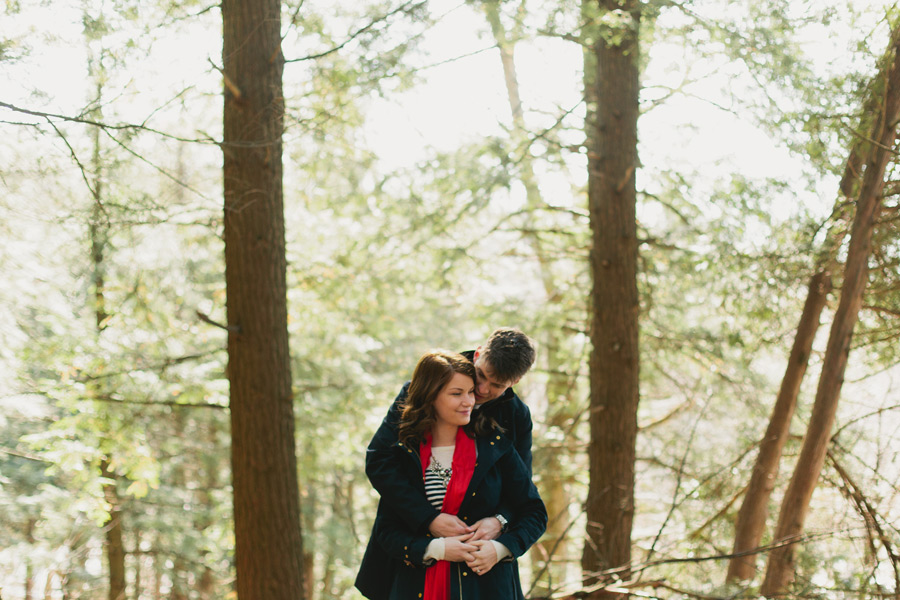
{"x":611,"y":94}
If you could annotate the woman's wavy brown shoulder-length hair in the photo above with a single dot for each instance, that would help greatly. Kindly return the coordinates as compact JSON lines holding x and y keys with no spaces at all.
{"x":433,"y":371}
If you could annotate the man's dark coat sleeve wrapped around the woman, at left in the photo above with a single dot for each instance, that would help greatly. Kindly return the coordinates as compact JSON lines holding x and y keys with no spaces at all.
{"x":386,"y":474}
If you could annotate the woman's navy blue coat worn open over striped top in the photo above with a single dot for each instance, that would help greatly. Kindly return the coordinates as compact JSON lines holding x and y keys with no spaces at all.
{"x":392,"y":568}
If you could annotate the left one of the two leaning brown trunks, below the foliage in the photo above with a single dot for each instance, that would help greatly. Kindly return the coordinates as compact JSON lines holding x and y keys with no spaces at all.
{"x":751,"y":521}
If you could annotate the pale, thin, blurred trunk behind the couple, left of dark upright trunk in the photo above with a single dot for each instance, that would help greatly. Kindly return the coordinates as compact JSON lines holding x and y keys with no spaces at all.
{"x":547,"y":566}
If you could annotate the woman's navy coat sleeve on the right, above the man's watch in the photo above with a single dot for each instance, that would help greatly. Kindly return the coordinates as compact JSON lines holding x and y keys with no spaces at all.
{"x":529,"y":513}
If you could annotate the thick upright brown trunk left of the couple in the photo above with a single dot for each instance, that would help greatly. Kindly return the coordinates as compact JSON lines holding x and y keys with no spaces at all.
{"x":268,"y":541}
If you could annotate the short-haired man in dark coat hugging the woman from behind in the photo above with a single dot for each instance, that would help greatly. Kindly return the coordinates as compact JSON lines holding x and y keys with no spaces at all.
{"x":505,"y":357}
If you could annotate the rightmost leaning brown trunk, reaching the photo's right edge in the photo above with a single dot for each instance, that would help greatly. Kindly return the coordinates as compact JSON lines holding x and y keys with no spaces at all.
{"x":780,"y":568}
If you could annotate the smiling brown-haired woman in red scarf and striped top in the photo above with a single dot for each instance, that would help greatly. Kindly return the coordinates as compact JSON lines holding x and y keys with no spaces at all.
{"x":465,"y":466}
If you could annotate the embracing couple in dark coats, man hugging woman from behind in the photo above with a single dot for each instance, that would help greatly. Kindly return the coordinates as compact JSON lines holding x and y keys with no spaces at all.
{"x":452,"y":463}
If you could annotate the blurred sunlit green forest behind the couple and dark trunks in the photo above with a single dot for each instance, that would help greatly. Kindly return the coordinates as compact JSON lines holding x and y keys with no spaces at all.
{"x":430,"y":197}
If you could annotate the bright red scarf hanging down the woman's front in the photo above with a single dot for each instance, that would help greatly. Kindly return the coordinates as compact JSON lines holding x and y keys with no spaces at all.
{"x":437,"y":576}
